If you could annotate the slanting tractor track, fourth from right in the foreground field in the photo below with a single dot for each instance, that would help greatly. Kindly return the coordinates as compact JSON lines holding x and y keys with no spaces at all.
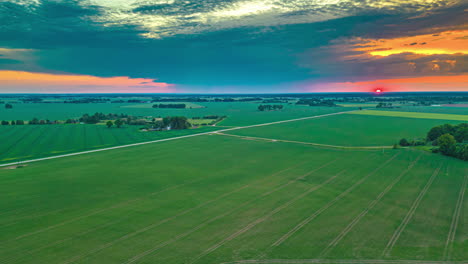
{"x":329,"y":204}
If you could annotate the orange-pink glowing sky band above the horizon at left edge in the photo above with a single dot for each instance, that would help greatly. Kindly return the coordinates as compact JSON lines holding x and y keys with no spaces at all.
{"x":22,"y":81}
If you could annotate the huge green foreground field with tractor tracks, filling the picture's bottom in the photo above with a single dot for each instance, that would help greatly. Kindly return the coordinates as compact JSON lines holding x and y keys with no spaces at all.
{"x":191,"y":201}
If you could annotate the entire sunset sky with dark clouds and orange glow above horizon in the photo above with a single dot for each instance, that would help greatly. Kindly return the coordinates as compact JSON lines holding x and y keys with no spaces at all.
{"x":232,"y":46}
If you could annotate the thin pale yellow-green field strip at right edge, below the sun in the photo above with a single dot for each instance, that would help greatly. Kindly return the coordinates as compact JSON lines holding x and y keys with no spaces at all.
{"x":413,"y":115}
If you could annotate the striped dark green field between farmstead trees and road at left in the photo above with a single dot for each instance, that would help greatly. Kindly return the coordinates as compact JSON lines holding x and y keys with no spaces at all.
{"x":35,"y":141}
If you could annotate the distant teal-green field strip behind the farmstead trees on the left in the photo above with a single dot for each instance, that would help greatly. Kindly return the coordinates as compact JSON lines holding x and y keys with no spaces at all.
{"x":238,"y":113}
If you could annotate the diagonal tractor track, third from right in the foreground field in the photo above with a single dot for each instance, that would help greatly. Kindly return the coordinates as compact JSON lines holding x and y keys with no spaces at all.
{"x":358,"y":218}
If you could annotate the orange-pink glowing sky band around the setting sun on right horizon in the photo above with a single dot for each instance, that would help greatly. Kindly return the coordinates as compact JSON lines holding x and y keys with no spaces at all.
{"x":417,"y":84}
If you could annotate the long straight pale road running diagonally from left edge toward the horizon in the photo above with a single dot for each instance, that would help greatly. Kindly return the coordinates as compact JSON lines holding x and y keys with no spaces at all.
{"x":169,"y":139}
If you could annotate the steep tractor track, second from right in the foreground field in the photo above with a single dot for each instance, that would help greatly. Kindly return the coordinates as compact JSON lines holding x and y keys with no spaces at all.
{"x":396,"y":235}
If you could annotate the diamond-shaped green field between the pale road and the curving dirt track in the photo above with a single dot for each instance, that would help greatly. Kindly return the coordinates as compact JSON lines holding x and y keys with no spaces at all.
{"x":347,"y":130}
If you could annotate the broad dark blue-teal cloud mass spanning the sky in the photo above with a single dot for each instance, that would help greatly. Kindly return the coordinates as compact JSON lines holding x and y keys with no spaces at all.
{"x":66,"y":36}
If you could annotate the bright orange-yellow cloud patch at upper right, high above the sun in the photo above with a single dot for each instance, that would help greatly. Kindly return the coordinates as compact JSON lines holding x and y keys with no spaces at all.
{"x":448,"y":42}
